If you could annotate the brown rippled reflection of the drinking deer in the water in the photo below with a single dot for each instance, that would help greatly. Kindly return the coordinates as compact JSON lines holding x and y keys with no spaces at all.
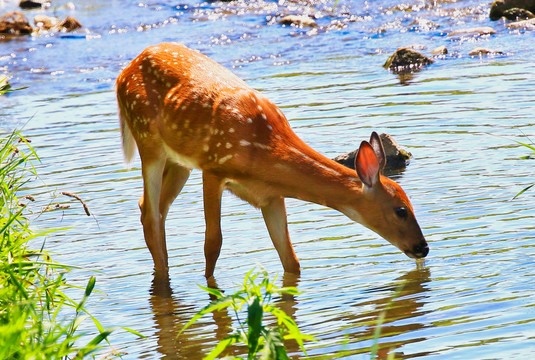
{"x":405,"y":299}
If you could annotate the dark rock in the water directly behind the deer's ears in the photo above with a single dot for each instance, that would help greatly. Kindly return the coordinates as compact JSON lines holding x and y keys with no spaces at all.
{"x":396,"y":157}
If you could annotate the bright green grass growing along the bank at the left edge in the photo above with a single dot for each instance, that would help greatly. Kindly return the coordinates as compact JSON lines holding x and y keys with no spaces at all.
{"x":37,"y":319}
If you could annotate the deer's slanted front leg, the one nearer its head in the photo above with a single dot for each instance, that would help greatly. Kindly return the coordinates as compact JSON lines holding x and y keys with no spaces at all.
{"x":277,"y":224}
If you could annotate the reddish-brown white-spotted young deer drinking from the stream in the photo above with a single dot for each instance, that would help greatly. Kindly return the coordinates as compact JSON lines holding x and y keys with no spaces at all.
{"x":184,"y":111}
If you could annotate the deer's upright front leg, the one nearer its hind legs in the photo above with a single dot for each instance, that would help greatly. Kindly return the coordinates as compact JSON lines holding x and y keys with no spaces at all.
{"x":212,"y":191}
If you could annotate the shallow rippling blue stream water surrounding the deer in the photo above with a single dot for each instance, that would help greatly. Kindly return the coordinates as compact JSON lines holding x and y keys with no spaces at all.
{"x":473,"y":296}
